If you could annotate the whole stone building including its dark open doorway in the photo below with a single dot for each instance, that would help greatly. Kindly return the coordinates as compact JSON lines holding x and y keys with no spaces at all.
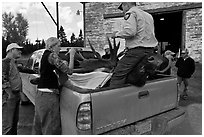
{"x":178,"y":25}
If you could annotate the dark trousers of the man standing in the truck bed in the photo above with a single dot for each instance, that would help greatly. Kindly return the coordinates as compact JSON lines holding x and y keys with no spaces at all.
{"x":131,"y":58}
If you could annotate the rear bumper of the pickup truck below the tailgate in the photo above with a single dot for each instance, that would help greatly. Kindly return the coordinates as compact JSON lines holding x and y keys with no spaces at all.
{"x":156,"y":125}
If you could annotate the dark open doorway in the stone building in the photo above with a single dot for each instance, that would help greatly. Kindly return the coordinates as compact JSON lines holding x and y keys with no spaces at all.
{"x":168,"y":31}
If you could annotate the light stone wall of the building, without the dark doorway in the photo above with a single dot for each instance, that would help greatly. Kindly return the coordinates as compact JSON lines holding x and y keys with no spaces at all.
{"x":96,"y":26}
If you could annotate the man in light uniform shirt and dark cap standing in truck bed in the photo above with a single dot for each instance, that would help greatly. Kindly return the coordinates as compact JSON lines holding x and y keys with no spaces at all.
{"x":138,"y":32}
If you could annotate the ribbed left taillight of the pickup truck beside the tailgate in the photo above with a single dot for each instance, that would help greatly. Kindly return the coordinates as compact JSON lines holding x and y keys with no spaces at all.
{"x":84,"y":118}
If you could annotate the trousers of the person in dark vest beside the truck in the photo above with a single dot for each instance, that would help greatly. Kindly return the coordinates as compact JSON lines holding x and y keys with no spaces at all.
{"x":47,"y":119}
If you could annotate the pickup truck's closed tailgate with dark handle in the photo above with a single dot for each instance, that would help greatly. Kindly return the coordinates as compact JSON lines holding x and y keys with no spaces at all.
{"x":113,"y":108}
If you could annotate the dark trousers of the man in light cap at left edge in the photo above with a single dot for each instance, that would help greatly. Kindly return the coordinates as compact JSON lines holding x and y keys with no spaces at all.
{"x":10,"y":113}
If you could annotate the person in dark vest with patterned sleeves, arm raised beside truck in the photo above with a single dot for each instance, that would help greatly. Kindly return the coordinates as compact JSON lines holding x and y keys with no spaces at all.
{"x":47,"y":120}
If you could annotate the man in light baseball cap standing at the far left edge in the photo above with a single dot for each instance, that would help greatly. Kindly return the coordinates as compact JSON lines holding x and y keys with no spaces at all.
{"x":11,"y":88}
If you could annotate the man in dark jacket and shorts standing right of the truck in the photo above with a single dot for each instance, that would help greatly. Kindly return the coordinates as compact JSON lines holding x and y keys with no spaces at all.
{"x":186,"y":68}
